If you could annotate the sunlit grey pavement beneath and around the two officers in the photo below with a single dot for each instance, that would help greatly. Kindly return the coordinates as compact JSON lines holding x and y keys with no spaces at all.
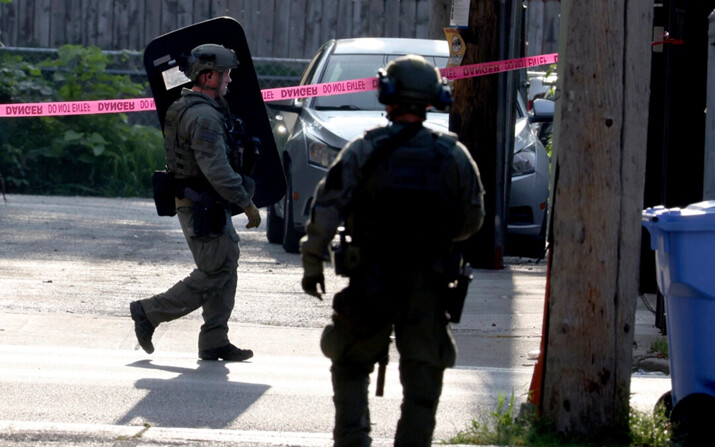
{"x":72,"y":374}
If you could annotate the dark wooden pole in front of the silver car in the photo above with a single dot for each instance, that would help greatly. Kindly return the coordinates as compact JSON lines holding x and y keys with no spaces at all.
{"x":473,"y":117}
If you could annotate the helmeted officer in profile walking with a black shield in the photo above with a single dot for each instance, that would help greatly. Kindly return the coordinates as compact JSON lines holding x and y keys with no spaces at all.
{"x":197,"y":153}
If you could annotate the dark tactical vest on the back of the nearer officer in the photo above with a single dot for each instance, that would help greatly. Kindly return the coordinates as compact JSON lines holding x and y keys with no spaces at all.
{"x":403,"y":210}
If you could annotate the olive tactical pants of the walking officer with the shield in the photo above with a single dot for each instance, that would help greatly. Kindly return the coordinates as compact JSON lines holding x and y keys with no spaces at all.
{"x":211,"y":286}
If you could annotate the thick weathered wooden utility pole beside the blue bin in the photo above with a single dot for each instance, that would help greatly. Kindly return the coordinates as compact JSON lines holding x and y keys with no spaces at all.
{"x":597,"y":199}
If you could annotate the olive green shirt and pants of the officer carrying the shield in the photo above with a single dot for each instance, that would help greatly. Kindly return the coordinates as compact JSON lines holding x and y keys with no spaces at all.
{"x":196,"y":150}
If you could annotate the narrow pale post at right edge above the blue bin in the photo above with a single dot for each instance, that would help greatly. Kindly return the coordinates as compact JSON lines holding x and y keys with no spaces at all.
{"x":709,"y":170}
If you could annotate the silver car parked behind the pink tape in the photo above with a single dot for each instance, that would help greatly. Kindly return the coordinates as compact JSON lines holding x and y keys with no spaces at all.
{"x":315,"y":129}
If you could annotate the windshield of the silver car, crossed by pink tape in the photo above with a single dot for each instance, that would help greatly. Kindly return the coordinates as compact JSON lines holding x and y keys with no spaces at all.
{"x":345,"y":67}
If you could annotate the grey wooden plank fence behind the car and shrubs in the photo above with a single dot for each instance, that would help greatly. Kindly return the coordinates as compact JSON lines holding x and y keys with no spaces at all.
{"x":274,"y":28}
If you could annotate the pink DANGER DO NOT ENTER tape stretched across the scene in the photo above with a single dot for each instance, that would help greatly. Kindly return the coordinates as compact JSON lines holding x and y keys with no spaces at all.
{"x":273,"y":94}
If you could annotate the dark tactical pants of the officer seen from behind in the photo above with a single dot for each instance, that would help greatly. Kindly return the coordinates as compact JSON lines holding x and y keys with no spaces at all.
{"x":426,"y":348}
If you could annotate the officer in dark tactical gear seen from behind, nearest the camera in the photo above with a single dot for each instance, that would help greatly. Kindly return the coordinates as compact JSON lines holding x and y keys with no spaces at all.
{"x":406,"y":195}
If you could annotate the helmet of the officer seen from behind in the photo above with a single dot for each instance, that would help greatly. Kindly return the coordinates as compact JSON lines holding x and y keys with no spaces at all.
{"x":412,"y":81}
